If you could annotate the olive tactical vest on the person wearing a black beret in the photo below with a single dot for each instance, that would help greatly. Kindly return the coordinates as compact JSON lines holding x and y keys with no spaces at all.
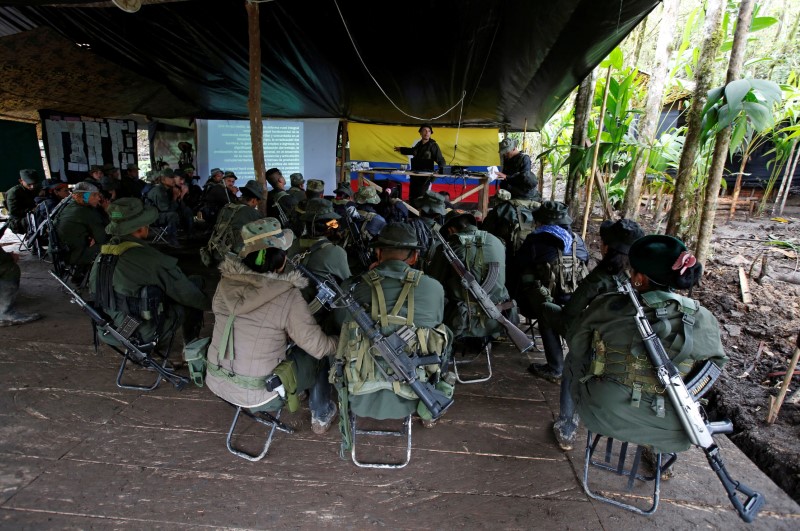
{"x":632,"y":367}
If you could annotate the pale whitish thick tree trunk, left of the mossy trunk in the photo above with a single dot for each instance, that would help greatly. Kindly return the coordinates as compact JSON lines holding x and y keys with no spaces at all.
{"x":652,"y":111}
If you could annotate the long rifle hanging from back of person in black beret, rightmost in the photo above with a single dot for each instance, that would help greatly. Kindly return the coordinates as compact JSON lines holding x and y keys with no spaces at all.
{"x":700,"y":431}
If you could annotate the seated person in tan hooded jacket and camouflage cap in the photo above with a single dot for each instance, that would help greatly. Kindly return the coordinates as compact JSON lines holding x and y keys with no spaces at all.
{"x":257,"y":307}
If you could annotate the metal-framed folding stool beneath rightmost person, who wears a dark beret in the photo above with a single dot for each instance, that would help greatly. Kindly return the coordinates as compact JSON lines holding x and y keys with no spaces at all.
{"x":619,"y":468}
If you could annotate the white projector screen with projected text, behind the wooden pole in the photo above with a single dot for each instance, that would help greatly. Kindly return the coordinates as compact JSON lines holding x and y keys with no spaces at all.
{"x":305,"y":146}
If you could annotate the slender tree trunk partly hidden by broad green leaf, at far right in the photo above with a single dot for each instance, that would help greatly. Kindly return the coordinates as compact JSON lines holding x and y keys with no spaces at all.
{"x":723,"y":139}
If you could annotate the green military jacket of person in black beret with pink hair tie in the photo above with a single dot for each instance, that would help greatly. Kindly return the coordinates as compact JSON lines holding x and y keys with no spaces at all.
{"x":605,"y":397}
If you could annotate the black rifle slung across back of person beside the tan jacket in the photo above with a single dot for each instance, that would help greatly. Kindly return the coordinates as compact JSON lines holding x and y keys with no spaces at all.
{"x":391,"y":348}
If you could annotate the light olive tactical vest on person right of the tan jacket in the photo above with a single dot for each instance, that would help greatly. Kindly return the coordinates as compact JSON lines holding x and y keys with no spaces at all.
{"x":361,"y":373}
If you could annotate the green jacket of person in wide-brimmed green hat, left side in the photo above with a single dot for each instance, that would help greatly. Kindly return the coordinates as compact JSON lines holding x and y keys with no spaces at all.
{"x":143,"y":265}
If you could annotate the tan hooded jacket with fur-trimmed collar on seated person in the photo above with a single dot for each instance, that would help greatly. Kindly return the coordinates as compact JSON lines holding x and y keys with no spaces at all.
{"x":269,"y":310}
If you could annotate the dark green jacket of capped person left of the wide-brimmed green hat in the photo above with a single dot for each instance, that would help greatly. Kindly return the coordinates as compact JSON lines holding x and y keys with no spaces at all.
{"x":76,"y":226}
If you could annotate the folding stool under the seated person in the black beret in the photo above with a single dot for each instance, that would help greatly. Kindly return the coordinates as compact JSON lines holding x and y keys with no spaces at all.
{"x":630,"y":471}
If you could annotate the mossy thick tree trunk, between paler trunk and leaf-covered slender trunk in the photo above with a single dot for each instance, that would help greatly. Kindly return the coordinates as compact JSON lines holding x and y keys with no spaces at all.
{"x":681,"y":200}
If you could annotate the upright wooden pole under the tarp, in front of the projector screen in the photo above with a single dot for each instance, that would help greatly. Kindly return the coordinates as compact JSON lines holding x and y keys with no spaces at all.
{"x":254,"y":98}
